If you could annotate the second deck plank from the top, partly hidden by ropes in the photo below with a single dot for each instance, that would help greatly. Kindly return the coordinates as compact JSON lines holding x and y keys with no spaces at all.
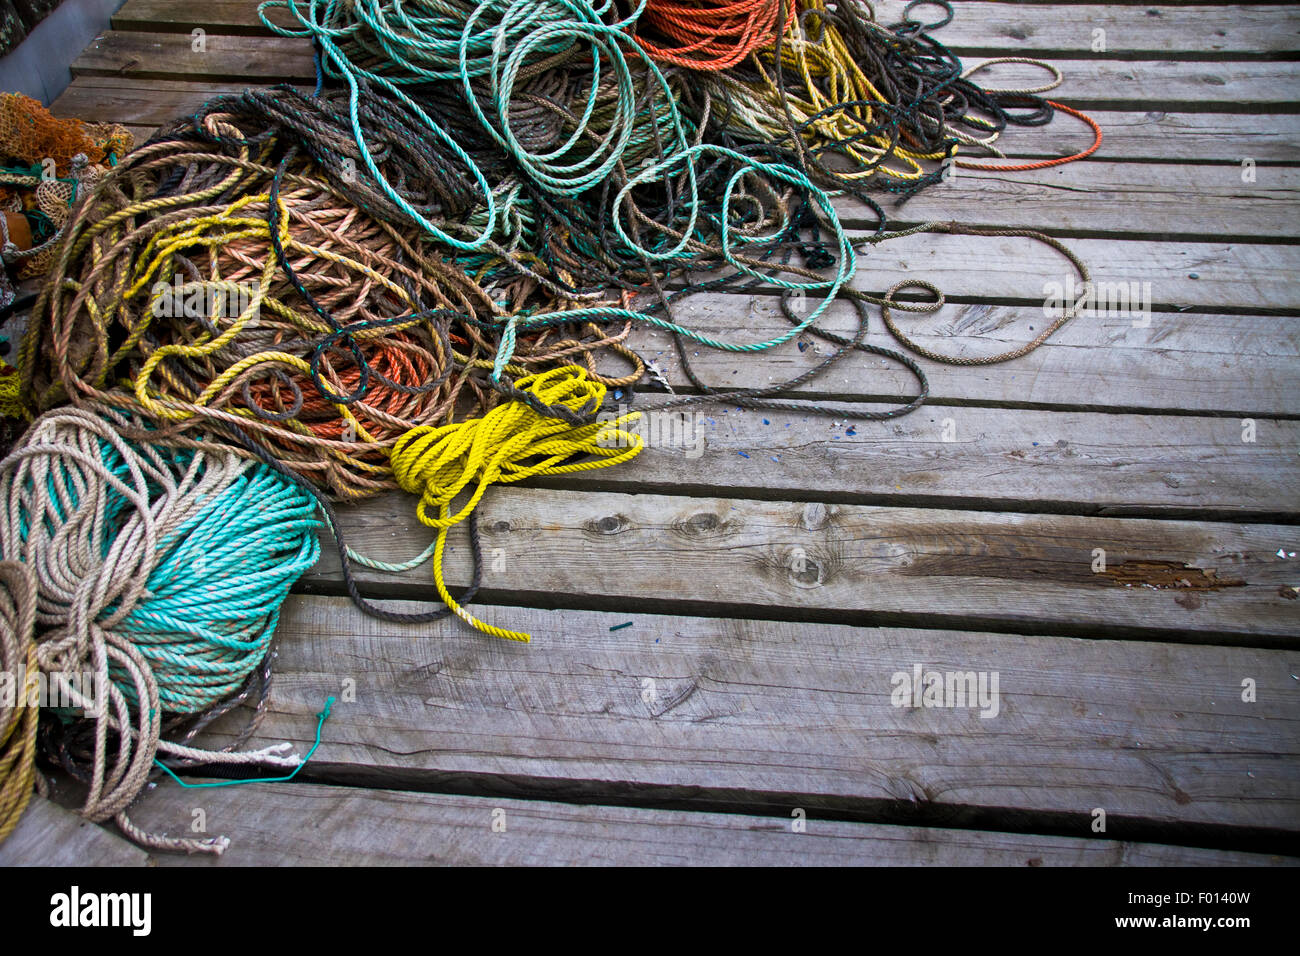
{"x":1097,"y":84}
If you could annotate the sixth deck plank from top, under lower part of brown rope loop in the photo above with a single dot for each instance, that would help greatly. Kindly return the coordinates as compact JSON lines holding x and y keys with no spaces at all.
{"x":1245,"y":366}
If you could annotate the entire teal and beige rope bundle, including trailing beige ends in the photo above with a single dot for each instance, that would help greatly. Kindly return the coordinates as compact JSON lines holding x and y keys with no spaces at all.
{"x":158,"y":578}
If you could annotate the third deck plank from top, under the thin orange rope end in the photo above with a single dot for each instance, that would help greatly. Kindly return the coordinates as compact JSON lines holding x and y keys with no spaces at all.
{"x":1130,"y":136}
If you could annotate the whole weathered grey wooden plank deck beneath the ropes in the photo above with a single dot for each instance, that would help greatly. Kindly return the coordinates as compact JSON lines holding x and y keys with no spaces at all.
{"x":770,"y":589}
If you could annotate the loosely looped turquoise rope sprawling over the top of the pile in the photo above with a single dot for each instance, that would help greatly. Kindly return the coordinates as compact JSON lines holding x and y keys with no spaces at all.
{"x":492,"y":42}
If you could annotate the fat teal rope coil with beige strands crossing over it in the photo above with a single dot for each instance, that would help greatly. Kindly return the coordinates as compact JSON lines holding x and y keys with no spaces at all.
{"x":209,"y":605}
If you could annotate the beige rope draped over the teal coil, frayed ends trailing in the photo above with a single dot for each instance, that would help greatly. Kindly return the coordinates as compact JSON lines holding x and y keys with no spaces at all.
{"x":88,"y":577}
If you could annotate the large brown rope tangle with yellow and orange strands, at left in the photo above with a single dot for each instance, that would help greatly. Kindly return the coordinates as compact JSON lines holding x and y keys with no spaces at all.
{"x":294,"y":271}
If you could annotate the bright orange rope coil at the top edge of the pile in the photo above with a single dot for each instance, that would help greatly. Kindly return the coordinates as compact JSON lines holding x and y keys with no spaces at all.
{"x":712,"y":34}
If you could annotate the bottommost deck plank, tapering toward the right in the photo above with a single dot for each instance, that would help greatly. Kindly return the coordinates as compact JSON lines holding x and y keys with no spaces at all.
{"x":297,"y":825}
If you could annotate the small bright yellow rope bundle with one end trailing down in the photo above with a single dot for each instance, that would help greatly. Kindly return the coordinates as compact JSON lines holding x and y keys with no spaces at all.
{"x":509,"y":444}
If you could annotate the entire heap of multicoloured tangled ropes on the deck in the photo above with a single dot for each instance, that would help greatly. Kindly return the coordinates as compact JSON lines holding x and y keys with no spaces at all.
{"x":426,"y":276}
